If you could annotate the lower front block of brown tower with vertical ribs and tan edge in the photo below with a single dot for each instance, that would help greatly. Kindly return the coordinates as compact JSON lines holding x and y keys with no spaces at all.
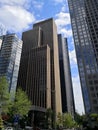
{"x":38,"y":76}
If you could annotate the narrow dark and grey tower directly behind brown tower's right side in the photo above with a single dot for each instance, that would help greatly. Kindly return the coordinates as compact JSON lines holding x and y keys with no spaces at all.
{"x":65,"y":76}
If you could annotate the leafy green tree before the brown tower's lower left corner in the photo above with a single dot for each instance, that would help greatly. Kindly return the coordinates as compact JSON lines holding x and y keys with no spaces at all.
{"x":21,"y":104}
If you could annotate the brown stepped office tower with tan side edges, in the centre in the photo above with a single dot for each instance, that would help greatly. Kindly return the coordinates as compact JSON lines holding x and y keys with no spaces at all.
{"x":39,"y":67}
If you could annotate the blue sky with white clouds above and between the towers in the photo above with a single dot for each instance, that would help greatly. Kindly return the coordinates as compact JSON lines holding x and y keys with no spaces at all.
{"x":20,"y":15}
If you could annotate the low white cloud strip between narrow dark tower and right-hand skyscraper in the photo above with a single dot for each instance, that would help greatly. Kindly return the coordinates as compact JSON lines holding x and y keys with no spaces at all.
{"x":78,"y":95}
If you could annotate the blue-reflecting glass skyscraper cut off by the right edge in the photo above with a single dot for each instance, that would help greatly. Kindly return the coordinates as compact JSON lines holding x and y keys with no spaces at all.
{"x":84,"y":19}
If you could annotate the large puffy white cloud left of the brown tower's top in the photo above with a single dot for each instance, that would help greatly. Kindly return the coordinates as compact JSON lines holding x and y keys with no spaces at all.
{"x":15,"y":18}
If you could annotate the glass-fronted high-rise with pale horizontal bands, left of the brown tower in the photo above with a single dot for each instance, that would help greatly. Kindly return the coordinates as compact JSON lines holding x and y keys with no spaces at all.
{"x":10,"y":53}
